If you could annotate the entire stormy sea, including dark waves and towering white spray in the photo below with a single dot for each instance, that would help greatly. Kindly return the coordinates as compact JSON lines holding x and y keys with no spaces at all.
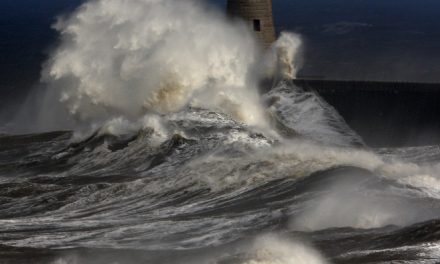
{"x":163,"y":133}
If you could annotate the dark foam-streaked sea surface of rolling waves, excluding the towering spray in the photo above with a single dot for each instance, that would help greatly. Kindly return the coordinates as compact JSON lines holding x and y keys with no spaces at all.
{"x":209,"y":189}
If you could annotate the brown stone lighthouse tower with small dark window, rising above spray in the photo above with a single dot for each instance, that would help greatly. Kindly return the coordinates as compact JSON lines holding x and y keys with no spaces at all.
{"x":258,"y":13}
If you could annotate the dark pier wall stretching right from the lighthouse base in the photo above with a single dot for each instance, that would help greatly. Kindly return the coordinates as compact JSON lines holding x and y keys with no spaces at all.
{"x":385,"y":113}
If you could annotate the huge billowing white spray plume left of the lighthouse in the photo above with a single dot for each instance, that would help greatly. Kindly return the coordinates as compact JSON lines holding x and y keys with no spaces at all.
{"x":127,"y":58}
